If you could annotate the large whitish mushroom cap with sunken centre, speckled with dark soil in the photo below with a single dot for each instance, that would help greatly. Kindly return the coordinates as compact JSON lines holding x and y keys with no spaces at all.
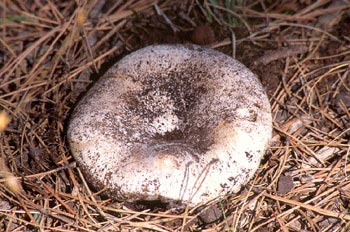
{"x":178,"y":123}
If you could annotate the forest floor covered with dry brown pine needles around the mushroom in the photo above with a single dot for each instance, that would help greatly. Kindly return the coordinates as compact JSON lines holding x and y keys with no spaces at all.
{"x":52,"y":51}
